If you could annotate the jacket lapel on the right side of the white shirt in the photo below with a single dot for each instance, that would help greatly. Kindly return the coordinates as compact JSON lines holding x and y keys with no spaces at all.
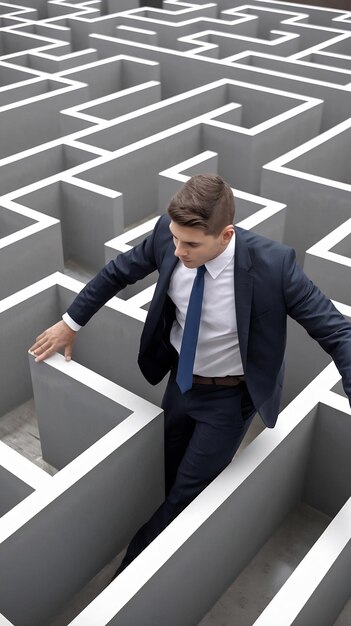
{"x":243,"y":286}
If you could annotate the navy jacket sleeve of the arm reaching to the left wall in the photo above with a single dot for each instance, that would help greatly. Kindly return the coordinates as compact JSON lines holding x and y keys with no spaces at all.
{"x":125,"y":269}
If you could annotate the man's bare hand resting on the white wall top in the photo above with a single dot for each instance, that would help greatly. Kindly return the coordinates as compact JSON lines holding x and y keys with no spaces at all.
{"x":52,"y":339}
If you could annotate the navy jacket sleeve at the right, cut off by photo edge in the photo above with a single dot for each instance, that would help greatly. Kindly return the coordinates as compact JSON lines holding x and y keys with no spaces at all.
{"x":317,"y":314}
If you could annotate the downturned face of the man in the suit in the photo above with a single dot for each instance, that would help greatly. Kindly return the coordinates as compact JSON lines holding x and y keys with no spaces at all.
{"x":194,"y":247}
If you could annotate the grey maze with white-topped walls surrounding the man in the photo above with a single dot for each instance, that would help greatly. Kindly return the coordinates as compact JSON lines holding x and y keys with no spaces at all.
{"x":106,"y":109}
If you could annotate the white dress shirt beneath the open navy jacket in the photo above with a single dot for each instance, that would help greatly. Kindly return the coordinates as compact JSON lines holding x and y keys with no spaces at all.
{"x":217,"y":352}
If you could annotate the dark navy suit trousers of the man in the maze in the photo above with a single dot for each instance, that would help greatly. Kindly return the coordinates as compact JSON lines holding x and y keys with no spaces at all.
{"x":203,"y":429}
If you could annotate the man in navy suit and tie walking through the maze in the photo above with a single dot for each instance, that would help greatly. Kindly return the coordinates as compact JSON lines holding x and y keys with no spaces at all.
{"x":225,"y":365}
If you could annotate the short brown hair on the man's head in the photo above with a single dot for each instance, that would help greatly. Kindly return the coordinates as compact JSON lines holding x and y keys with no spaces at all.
{"x":205,"y":201}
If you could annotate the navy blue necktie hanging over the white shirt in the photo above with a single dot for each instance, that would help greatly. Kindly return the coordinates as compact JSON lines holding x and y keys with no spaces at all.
{"x":190,"y":334}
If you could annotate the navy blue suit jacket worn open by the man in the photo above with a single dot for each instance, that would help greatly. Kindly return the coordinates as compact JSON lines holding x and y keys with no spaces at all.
{"x":268,"y":284}
